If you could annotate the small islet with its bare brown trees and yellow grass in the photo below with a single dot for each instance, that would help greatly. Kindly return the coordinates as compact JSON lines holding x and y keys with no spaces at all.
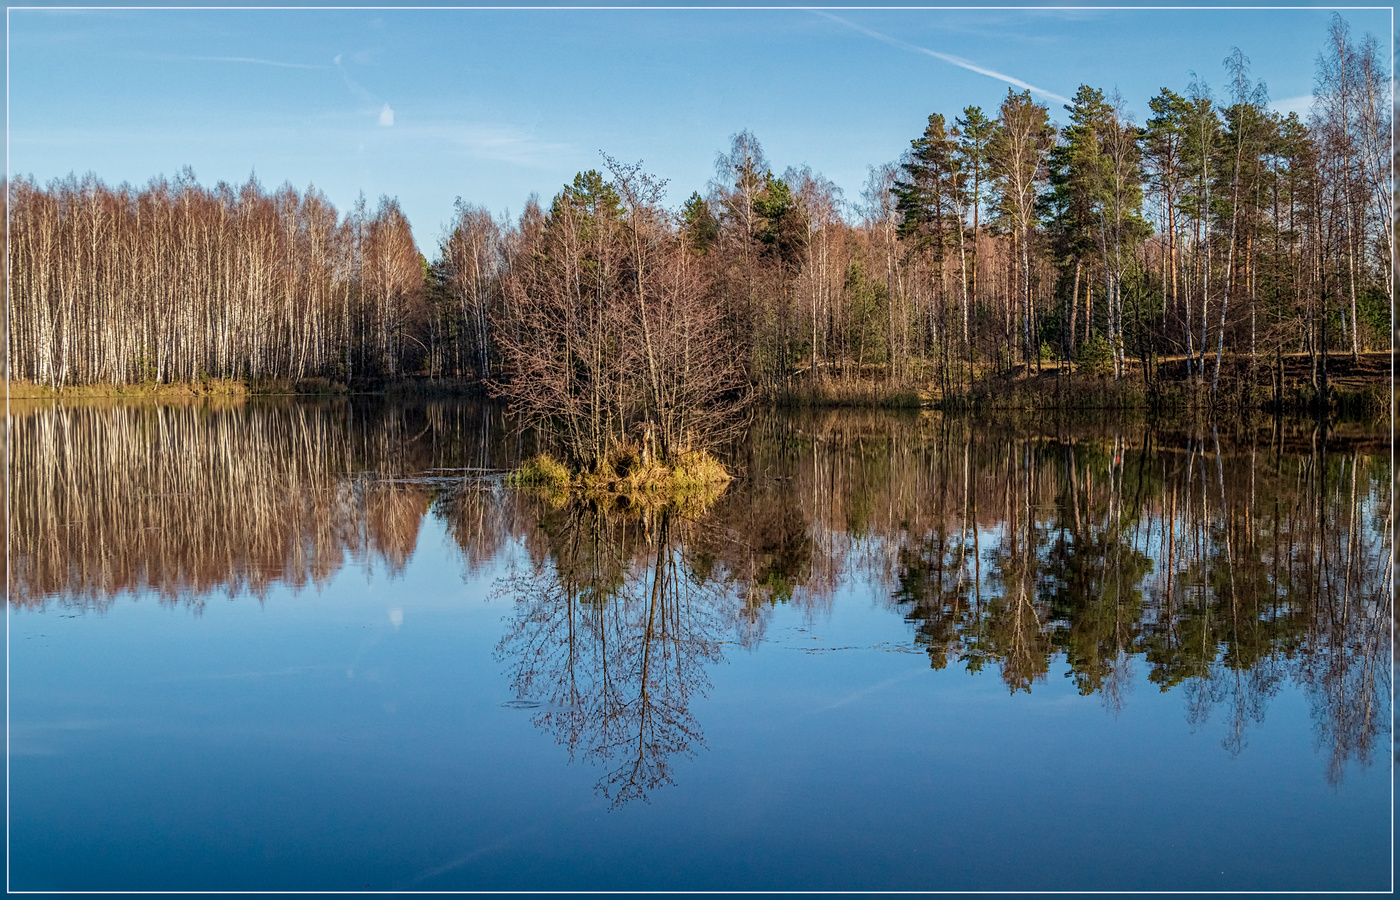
{"x":631,"y":373}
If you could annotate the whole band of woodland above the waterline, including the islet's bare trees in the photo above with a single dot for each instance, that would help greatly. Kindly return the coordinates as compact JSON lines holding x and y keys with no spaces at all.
{"x":1003,"y":241}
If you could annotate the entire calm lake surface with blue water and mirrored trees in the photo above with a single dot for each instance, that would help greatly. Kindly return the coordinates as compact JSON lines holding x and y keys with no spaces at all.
{"x":320,"y":646}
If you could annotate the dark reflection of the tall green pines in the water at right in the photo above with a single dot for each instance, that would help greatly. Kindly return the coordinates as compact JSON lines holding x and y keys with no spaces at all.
{"x":1227,"y":573}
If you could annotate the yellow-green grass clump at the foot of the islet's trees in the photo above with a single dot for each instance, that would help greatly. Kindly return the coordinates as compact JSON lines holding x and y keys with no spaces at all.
{"x":691,"y":482}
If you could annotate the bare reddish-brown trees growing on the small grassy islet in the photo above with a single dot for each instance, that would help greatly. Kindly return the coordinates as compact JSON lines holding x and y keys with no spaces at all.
{"x":608,"y":332}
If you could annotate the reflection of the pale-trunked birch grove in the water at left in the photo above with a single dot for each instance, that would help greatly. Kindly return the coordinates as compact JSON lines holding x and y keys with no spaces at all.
{"x":185,"y":502}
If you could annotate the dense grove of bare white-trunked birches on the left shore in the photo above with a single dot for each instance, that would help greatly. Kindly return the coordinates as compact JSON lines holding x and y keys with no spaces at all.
{"x":177,"y":282}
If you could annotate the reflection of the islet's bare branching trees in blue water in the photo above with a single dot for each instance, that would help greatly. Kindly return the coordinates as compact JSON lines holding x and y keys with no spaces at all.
{"x":612,"y":632}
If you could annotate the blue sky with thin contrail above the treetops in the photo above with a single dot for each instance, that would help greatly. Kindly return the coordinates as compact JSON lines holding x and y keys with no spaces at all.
{"x":489,"y":106}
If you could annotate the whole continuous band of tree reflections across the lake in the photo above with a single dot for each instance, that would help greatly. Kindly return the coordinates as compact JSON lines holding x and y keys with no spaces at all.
{"x":1226,"y":565}
